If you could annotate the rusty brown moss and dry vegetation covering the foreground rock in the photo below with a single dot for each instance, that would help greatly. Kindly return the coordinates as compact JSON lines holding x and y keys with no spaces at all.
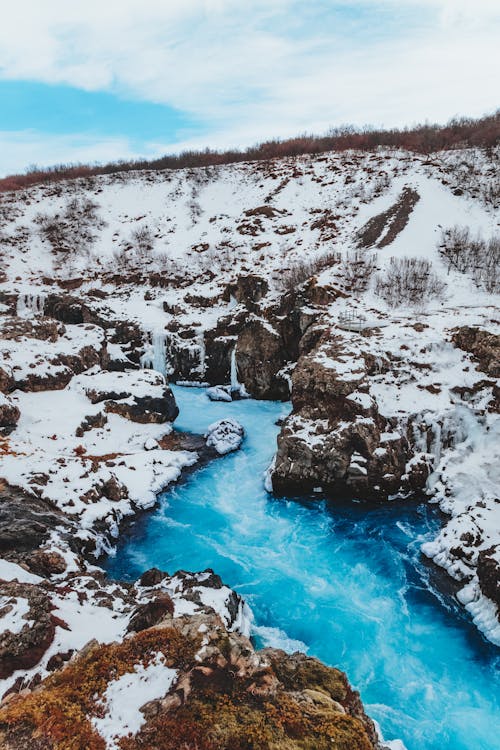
{"x":292,"y":704}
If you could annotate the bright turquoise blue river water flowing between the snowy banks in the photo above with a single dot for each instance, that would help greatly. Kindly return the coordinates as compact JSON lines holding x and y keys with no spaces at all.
{"x":345,"y":582}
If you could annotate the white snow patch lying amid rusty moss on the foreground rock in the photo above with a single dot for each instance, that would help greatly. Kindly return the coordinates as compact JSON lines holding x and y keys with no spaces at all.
{"x":124,"y":697}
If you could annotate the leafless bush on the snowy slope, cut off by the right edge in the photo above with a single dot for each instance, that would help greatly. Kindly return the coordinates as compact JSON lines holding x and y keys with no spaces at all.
{"x":471,"y":254}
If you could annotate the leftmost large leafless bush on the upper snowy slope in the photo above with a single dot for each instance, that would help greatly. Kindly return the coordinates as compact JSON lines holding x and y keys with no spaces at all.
{"x":73,"y":229}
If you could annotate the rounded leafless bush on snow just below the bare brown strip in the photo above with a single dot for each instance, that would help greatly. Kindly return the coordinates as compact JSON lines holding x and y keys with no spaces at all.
{"x":409,"y":281}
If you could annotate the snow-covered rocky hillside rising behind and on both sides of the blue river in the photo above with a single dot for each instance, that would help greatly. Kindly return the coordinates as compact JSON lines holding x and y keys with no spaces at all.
{"x":362,"y":285}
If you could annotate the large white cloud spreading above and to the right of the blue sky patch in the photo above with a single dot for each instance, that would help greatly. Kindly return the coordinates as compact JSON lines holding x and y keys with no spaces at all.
{"x":253,"y":70}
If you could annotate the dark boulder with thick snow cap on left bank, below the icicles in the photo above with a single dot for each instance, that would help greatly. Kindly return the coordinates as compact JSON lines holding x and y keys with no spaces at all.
{"x":139,"y":395}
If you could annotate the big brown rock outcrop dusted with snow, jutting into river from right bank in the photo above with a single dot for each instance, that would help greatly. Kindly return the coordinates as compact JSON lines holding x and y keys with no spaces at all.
{"x":335,"y":439}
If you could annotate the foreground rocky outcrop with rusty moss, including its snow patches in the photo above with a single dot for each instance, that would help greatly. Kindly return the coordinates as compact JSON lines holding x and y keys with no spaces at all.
{"x":213,"y":690}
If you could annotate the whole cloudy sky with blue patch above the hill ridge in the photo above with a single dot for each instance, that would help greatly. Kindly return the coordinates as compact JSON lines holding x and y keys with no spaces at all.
{"x":99,"y":80}
